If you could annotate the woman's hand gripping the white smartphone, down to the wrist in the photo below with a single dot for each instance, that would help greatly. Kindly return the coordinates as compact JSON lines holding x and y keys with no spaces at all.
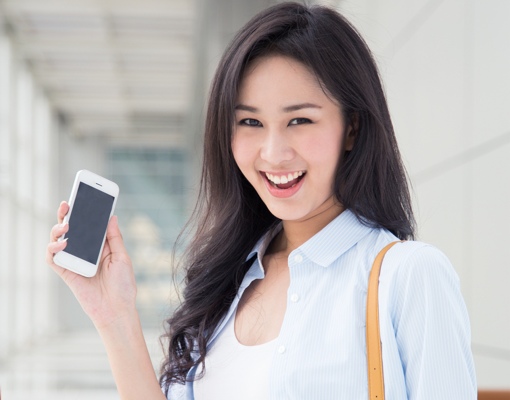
{"x":110,"y":294}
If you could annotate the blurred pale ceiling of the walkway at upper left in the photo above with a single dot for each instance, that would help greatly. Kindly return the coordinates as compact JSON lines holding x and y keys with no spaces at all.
{"x":110,"y":67}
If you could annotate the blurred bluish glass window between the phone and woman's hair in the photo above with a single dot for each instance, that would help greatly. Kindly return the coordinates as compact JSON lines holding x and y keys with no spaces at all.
{"x":152,"y":211}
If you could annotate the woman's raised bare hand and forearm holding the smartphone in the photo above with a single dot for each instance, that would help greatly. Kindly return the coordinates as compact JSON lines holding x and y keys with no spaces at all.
{"x":108,"y":298}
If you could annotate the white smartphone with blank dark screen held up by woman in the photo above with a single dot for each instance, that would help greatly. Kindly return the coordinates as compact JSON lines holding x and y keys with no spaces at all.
{"x":91,"y":203}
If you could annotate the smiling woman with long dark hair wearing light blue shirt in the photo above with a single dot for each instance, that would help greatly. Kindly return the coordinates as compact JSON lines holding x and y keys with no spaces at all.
{"x":302,"y":185}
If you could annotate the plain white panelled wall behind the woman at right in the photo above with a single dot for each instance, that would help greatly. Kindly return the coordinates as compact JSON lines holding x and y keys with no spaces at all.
{"x":446,"y":67}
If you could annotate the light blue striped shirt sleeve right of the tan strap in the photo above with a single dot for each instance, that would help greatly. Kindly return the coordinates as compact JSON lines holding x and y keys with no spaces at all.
{"x":432,"y":328}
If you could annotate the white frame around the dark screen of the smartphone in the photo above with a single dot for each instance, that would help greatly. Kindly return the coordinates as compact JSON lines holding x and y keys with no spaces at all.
{"x":67,"y":260}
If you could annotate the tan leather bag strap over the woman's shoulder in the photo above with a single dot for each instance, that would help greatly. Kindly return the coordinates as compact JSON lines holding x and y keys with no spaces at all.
{"x":374,"y":354}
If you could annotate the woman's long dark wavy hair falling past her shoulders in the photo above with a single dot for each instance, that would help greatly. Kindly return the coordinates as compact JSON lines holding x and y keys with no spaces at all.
{"x":230,"y":217}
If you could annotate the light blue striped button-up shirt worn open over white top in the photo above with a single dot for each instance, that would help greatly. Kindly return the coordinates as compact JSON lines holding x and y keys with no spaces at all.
{"x":321,"y":348}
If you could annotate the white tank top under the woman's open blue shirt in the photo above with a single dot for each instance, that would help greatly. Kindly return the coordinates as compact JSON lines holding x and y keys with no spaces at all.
{"x":235,"y":371}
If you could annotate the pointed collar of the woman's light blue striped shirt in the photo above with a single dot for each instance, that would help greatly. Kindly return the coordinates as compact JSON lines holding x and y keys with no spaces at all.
{"x":324,"y":247}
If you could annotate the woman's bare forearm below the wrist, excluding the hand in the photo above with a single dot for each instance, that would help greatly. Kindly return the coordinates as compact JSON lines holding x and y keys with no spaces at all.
{"x":129,"y":359}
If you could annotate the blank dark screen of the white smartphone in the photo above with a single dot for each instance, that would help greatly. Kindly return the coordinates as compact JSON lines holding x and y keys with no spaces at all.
{"x":88,"y":222}
